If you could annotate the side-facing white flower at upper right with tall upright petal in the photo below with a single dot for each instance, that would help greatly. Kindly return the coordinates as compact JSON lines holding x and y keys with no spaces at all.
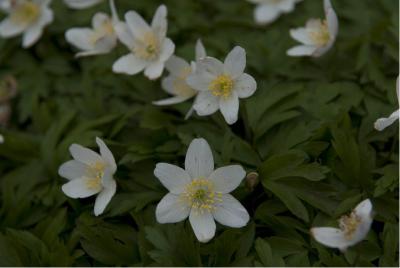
{"x":318,"y":36}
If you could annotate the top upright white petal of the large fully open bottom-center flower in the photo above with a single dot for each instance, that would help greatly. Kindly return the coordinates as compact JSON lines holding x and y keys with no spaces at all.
{"x":199,"y":160}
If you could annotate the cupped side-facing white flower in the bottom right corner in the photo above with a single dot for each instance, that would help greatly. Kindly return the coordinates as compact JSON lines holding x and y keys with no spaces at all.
{"x":353,"y":228}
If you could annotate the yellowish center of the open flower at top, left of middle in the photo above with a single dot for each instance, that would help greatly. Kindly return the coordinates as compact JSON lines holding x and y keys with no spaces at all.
{"x":148,"y":47}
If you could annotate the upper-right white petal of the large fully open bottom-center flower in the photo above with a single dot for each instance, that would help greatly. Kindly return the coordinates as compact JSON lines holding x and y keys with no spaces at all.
{"x":226,"y":179}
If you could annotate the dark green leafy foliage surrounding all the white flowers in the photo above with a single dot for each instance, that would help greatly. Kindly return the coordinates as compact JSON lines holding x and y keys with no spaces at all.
{"x":308,"y":132}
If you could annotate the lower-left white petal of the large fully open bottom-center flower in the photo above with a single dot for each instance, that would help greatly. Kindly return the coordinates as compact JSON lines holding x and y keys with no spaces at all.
{"x":172,"y":209}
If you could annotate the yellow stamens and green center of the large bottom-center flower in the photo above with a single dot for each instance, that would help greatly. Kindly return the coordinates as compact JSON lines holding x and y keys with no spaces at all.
{"x":200,"y":195}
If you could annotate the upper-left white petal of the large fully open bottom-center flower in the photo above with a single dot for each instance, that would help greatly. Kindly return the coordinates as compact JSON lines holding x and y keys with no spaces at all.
{"x":172,"y":177}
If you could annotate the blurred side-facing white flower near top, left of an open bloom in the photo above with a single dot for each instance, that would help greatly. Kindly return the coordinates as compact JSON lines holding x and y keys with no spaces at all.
{"x":99,"y":40}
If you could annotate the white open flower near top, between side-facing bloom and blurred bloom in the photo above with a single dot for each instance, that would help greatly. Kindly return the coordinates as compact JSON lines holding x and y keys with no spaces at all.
{"x":150,"y":48}
